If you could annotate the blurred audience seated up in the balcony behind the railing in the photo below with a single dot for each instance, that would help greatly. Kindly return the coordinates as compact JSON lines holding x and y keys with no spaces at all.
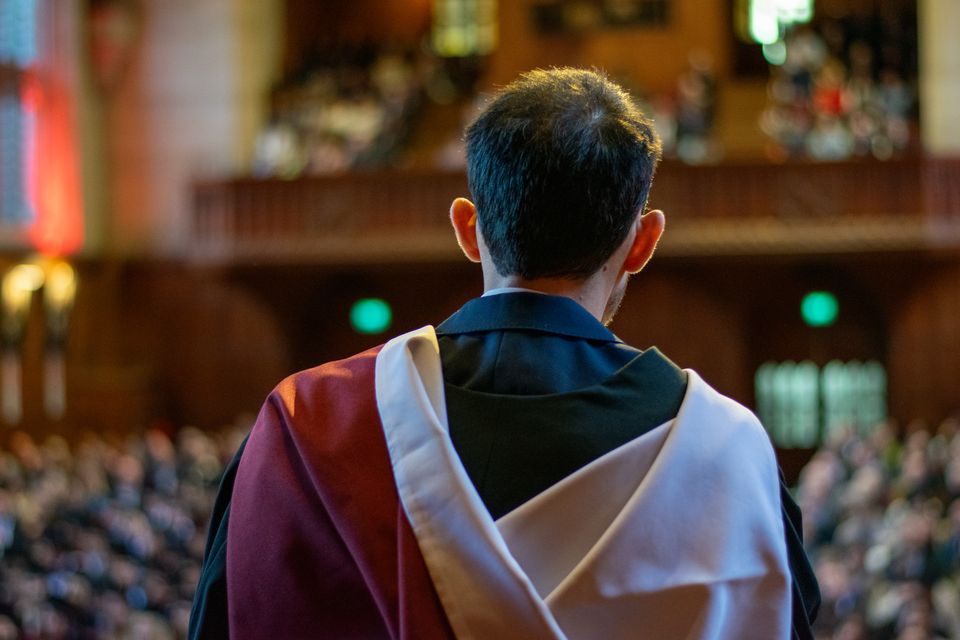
{"x":838,"y":89}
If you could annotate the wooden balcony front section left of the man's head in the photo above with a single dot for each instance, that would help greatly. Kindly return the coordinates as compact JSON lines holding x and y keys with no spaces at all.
{"x":376,"y":217}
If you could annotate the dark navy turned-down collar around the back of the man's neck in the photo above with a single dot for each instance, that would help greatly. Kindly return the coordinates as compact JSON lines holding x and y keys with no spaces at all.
{"x":527,"y":312}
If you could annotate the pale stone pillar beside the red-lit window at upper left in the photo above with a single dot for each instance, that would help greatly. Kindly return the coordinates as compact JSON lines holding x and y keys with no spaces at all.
{"x":189,"y":106}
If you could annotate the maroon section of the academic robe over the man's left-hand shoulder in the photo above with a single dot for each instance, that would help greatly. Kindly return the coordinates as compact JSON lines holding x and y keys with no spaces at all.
{"x":318,"y":544}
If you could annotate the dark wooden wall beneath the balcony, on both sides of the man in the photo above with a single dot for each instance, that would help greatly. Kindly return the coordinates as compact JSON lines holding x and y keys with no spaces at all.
{"x":200,"y":345}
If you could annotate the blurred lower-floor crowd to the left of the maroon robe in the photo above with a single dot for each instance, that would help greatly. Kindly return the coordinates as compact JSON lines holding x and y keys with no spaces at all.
{"x":105,"y":539}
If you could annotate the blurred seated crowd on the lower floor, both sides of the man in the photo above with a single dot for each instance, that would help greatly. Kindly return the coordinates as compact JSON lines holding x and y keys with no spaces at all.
{"x":104,"y":539}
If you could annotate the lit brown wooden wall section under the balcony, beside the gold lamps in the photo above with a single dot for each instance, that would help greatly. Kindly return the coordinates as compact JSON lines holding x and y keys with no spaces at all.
{"x":160,"y":341}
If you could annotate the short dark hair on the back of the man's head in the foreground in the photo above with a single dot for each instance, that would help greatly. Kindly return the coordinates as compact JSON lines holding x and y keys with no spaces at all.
{"x":559,"y":165}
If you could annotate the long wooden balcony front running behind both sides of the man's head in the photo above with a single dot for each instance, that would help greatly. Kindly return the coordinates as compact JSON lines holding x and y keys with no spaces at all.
{"x":728,"y":209}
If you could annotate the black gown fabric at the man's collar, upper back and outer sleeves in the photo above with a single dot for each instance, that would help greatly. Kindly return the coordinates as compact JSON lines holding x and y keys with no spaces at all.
{"x":495,"y":350}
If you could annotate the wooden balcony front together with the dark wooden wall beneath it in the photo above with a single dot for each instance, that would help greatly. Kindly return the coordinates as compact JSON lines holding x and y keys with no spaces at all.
{"x":274,"y":266}
